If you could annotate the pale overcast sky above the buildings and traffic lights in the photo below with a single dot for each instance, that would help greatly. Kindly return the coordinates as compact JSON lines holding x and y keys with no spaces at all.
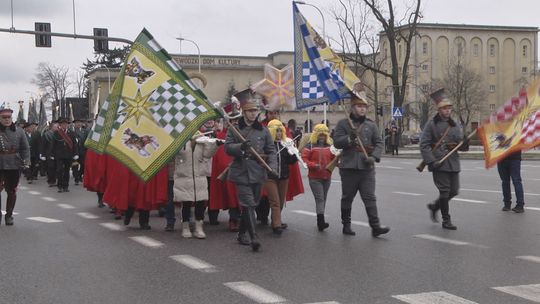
{"x":220,"y":27}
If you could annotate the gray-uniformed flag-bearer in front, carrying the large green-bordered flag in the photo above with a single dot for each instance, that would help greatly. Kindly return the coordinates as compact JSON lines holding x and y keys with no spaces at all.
{"x":245,"y":171}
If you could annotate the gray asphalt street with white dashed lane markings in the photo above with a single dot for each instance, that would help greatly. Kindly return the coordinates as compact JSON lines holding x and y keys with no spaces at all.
{"x":63,"y":249}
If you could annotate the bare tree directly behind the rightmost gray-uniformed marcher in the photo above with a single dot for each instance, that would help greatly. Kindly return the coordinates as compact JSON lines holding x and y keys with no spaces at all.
{"x":465,"y":88}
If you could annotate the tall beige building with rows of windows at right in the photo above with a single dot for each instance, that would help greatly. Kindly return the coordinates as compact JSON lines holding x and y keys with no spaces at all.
{"x":505,"y":57}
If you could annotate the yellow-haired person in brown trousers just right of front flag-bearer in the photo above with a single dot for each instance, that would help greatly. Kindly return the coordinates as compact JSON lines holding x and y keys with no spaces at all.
{"x":276,"y":186}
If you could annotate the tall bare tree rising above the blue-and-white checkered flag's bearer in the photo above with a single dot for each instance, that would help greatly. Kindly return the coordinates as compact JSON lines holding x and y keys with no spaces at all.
{"x":354,"y":18}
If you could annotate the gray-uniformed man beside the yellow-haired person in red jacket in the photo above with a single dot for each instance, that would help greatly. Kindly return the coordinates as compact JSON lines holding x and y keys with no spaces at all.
{"x":358,"y":172}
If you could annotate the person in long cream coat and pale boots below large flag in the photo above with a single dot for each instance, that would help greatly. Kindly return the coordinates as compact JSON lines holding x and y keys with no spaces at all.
{"x":190,"y":184}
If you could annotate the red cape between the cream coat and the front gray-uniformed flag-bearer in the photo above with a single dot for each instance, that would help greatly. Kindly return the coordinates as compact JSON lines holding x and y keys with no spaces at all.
{"x":222,"y":193}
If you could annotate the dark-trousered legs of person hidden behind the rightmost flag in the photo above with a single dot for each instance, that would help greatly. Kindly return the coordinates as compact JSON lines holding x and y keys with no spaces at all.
{"x":510,"y":169}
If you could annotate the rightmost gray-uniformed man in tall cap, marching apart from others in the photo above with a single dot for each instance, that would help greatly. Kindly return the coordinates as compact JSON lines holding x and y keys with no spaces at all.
{"x":441,"y":135}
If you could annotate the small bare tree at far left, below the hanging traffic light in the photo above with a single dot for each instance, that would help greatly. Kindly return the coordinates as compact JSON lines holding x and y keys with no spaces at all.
{"x":54,"y":82}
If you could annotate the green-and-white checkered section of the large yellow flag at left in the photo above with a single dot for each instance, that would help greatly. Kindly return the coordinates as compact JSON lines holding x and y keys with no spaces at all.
{"x":175,"y":107}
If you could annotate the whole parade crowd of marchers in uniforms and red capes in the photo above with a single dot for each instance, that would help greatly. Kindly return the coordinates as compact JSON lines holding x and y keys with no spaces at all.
{"x":244,"y":165}
